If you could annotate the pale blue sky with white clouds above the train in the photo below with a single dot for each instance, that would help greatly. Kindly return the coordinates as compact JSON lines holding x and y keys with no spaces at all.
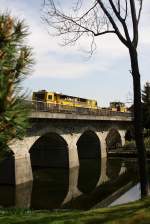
{"x":69,"y":70}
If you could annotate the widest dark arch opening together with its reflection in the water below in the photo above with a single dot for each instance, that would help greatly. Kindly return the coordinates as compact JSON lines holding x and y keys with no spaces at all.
{"x":49,"y":159}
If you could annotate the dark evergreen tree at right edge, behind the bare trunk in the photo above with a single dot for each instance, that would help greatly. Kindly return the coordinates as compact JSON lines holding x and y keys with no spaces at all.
{"x":146,"y":105}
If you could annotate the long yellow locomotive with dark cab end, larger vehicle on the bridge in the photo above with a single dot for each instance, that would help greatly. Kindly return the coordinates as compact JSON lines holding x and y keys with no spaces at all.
{"x":64,"y":100}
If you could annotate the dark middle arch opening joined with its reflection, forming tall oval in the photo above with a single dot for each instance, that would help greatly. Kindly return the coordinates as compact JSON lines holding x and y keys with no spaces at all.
{"x":88,"y":147}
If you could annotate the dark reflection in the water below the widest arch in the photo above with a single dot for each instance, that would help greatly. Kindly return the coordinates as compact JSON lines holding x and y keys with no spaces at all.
{"x":50,"y":187}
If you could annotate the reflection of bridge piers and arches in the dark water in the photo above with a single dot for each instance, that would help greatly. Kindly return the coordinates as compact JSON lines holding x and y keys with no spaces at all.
{"x":95,"y":183}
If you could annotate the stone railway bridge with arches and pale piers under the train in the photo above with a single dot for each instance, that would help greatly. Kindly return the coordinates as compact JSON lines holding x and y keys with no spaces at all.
{"x":61,"y":138}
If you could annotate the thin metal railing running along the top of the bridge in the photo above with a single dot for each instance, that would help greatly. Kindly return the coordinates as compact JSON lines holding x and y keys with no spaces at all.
{"x":58,"y":108}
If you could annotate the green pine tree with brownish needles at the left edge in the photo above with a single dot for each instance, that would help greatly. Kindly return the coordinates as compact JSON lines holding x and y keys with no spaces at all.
{"x":15,"y":63}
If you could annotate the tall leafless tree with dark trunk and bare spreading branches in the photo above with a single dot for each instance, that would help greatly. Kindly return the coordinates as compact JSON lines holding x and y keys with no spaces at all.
{"x":96,"y":18}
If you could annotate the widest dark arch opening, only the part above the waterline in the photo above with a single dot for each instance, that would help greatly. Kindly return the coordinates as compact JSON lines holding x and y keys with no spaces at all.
{"x":50,"y":150}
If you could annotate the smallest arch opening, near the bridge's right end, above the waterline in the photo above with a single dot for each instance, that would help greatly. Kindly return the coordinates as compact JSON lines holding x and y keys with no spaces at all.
{"x":113,"y":139}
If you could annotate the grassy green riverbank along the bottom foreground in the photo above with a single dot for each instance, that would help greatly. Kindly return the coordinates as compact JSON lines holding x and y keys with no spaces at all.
{"x":131,"y":213}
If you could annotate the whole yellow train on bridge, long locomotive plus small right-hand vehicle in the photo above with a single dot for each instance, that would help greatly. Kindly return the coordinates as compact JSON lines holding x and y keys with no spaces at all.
{"x":53,"y":100}
